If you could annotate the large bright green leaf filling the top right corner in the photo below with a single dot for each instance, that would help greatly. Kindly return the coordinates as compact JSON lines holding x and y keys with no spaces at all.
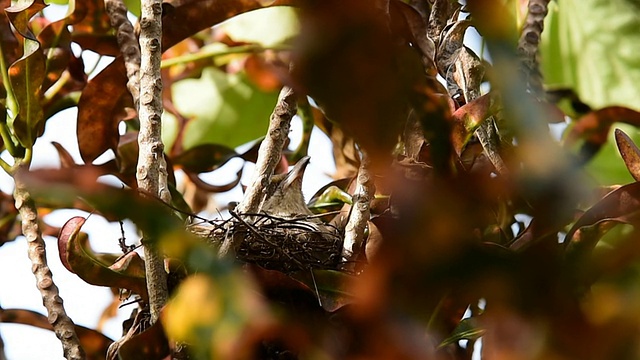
{"x":591,"y":46}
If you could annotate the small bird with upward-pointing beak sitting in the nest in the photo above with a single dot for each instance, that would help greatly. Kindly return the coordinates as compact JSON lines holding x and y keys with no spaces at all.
{"x":284,"y":196}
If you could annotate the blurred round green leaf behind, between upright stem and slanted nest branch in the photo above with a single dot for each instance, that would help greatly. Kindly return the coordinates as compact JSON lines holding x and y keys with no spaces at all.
{"x":225,"y":109}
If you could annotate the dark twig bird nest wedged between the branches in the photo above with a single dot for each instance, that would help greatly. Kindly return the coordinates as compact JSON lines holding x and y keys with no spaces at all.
{"x":282,"y":244}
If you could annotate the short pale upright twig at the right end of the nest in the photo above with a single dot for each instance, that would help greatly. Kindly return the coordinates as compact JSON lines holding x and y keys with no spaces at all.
{"x":360,"y":211}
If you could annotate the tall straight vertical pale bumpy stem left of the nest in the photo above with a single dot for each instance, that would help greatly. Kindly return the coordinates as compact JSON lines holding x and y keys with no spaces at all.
{"x":152,"y":168}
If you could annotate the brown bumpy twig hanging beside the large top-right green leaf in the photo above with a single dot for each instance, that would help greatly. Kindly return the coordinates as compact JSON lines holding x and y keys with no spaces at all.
{"x":528,"y":45}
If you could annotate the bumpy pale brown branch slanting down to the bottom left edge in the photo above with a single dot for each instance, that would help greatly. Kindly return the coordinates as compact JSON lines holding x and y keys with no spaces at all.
{"x":62,"y":325}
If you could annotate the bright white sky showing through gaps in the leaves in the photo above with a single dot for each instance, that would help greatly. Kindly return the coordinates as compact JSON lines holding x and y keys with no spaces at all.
{"x":83,"y":302}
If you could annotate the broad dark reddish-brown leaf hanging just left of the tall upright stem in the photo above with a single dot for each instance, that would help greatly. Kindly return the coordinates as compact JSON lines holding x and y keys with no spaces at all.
{"x":100,"y":109}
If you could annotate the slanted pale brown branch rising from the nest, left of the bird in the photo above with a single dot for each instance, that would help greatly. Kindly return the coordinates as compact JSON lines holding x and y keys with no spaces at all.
{"x":269,"y":155}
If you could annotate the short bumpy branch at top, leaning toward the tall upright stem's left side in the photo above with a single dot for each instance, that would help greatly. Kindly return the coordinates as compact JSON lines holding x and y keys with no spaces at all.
{"x":128,"y":43}
